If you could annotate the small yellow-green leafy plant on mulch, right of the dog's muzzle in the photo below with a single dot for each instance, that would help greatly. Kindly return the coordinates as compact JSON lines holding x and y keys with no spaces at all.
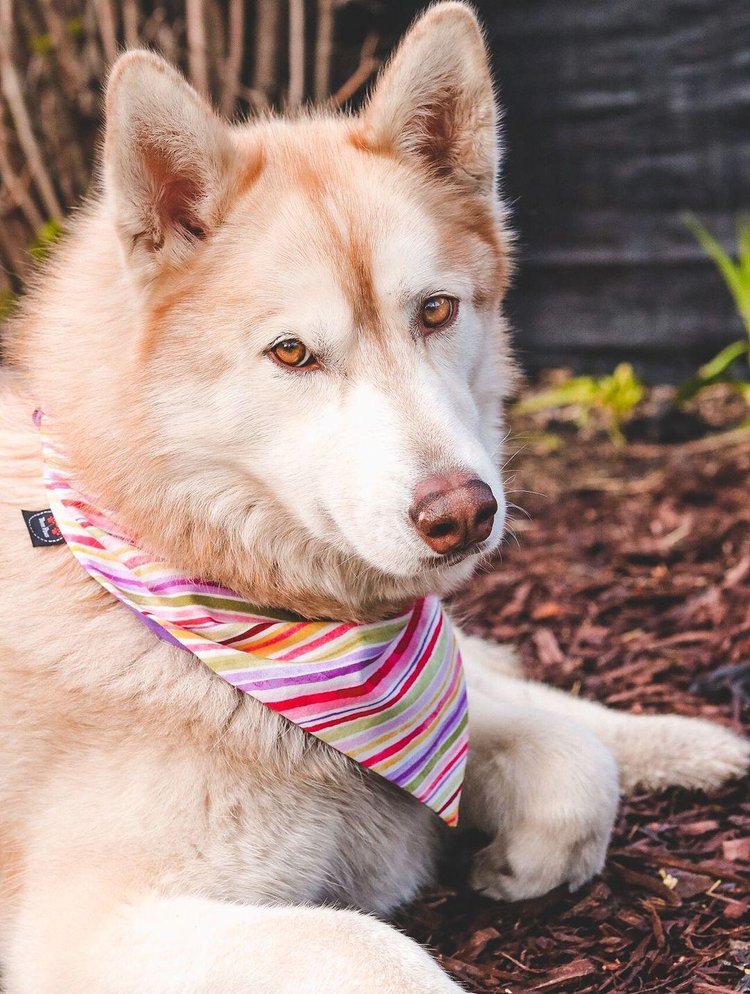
{"x":615,"y":396}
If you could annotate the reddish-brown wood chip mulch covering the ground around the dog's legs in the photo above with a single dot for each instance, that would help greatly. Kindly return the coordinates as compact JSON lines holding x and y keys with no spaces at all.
{"x":629,"y":583}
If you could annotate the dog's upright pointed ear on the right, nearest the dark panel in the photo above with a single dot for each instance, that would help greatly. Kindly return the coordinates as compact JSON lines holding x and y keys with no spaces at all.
{"x":434,"y":100}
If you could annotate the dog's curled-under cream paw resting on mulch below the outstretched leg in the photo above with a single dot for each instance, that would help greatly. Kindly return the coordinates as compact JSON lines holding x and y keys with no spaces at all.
{"x":557,"y":829}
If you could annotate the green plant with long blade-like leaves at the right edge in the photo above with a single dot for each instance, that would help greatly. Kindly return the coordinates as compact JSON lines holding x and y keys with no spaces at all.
{"x":736,"y":275}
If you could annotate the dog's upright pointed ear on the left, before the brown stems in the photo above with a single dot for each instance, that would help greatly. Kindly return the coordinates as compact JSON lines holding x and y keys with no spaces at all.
{"x":167,"y":160}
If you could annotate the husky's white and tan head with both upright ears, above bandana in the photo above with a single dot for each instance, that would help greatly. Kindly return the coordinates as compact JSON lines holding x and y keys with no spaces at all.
{"x":321,"y":336}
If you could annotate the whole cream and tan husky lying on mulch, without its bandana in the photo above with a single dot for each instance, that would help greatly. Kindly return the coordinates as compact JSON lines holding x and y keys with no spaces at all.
{"x":275,"y":351}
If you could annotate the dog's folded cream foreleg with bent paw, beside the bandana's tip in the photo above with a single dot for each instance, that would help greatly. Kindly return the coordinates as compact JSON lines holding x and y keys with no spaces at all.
{"x":545,"y":790}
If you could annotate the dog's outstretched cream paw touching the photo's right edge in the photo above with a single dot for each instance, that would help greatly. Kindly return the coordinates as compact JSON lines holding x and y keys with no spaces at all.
{"x":671,"y":751}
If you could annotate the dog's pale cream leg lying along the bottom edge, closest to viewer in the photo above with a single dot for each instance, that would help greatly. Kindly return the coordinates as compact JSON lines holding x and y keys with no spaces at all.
{"x":68,"y":943}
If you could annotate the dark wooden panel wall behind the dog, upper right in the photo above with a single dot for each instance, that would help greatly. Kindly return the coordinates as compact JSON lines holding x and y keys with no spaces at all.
{"x":620,"y":115}
